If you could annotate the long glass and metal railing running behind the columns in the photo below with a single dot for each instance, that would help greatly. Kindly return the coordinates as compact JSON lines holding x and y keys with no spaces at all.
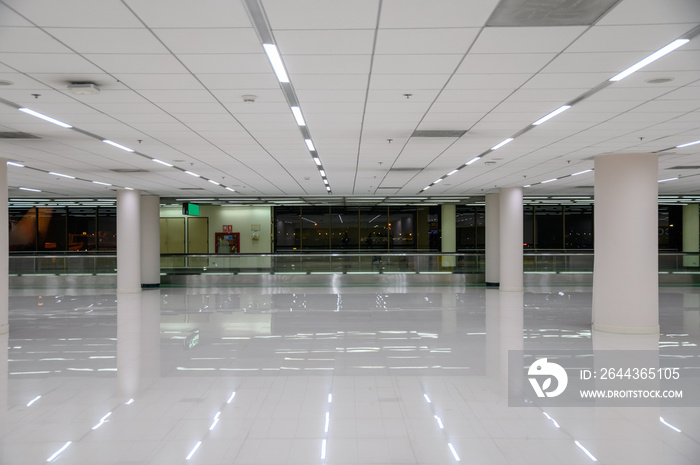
{"x":328,"y":263}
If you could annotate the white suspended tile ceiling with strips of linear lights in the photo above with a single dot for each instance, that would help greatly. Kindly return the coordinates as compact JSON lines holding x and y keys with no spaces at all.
{"x":395,"y":94}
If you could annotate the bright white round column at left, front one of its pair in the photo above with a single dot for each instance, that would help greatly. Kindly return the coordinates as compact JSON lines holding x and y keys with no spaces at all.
{"x":128,"y":240}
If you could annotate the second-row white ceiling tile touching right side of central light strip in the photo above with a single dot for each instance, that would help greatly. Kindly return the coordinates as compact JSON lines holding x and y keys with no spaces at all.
{"x":327,"y":42}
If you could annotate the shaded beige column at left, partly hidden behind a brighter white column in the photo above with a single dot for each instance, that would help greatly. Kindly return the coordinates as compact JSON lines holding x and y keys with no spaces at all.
{"x":150,"y":241}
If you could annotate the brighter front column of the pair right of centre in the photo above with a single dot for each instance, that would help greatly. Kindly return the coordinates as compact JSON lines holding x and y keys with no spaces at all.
{"x":511,"y":238}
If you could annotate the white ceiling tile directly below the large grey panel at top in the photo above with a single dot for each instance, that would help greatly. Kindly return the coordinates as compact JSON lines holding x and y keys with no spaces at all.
{"x":526,"y":39}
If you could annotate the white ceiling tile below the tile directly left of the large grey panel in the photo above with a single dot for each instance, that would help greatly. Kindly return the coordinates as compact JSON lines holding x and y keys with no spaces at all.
{"x":424,"y":41}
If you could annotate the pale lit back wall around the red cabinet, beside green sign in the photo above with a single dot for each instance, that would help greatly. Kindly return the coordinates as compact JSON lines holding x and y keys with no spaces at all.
{"x":241,"y":218}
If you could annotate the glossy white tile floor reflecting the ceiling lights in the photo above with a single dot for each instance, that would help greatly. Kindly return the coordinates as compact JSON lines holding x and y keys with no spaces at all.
{"x":316,"y":376}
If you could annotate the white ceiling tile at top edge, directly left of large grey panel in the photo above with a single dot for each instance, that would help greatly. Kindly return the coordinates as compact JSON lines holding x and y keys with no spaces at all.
{"x":445,"y":13}
